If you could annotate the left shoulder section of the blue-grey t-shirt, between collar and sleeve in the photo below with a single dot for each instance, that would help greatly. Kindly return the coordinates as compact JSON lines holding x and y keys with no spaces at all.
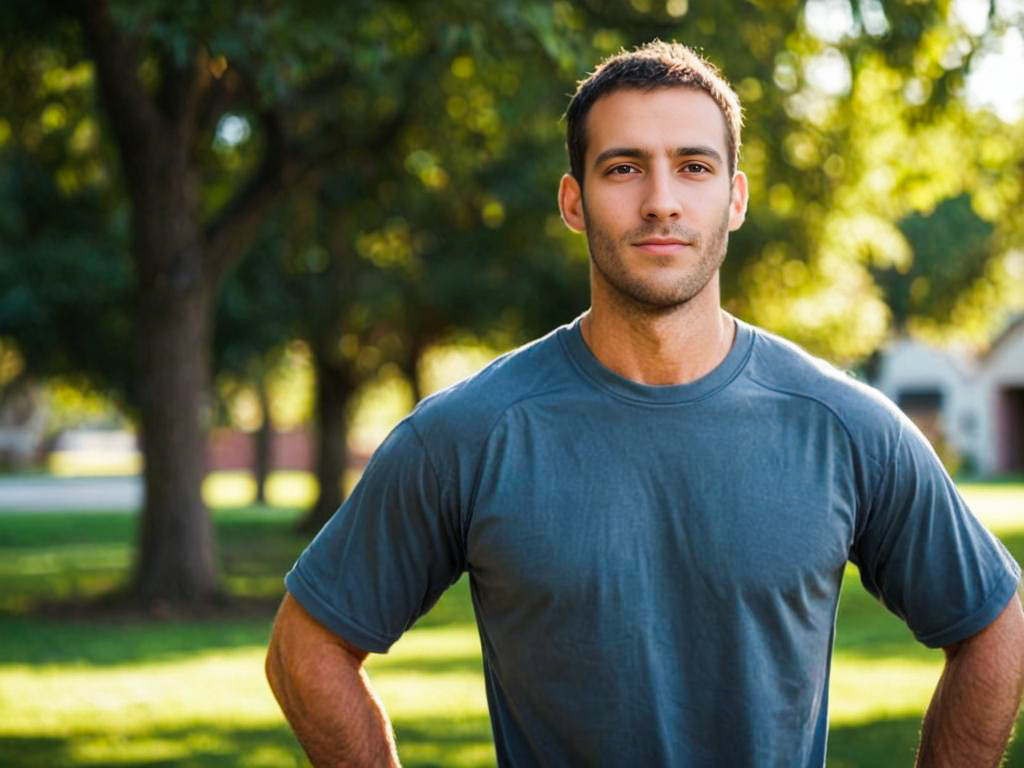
{"x":472,"y":407}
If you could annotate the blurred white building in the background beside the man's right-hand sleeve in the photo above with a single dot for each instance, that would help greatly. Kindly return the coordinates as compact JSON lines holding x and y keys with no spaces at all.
{"x":971,"y":407}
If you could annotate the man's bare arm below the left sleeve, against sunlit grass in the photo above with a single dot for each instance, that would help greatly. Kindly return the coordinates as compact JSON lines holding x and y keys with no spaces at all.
{"x":324,"y":692}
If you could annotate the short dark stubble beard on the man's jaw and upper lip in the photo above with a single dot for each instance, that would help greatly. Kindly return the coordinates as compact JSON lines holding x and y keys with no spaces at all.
{"x":648,"y":296}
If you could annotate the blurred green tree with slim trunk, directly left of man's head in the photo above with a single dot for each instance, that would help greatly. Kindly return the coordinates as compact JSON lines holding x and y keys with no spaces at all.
{"x":433,"y":228}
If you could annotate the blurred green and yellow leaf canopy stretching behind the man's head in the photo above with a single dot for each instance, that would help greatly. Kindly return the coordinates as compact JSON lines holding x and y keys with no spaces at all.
{"x":439,"y":193}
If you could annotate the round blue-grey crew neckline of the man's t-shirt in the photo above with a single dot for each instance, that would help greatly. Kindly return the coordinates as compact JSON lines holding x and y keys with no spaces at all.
{"x":573,"y":343}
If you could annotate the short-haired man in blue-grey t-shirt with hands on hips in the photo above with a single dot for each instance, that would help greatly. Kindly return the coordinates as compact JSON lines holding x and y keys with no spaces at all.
{"x":656,"y":504}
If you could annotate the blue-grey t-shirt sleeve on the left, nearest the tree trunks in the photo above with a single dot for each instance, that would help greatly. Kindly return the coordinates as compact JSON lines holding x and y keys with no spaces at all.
{"x":388,"y":554}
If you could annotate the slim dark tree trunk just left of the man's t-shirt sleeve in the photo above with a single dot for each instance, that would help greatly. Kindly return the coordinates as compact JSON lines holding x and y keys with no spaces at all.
{"x":336,"y":385}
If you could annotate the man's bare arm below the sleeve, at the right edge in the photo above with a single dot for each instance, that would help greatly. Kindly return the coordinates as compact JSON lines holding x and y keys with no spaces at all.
{"x":975,"y":705}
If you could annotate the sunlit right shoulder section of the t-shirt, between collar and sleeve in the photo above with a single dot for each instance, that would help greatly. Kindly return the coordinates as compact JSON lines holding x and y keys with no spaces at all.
{"x":783,"y":367}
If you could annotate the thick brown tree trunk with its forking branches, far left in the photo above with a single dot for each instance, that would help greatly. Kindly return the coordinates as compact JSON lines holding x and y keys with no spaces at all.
{"x":180,"y":264}
